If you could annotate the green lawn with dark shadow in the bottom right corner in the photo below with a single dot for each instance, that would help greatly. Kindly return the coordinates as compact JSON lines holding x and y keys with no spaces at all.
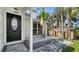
{"x":73,"y":47}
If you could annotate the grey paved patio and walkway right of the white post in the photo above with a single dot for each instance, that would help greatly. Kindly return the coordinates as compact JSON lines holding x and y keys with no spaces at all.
{"x":54,"y":46}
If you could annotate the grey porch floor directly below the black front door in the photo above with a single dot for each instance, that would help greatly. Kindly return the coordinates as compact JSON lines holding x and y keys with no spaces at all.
{"x":17,"y":47}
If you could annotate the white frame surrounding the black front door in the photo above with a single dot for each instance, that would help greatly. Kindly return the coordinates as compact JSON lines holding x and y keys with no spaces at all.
{"x":5,"y":29}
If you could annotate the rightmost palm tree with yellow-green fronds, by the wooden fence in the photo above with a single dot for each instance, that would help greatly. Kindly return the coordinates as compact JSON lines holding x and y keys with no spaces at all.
{"x":71,"y":13}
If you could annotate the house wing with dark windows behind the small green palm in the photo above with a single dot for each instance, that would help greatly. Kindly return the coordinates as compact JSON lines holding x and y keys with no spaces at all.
{"x":37,"y":29}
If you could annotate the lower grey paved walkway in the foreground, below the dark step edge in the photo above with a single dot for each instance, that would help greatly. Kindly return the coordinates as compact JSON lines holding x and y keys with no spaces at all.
{"x":52,"y":47}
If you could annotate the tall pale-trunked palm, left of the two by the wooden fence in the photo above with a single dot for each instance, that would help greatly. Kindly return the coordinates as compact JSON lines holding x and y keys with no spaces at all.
{"x":60,"y":13}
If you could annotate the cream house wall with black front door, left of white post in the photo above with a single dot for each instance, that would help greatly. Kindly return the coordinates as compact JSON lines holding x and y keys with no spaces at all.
{"x":14,"y":25}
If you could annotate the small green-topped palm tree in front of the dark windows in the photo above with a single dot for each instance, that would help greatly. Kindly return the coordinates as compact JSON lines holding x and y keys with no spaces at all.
{"x":42,"y":16}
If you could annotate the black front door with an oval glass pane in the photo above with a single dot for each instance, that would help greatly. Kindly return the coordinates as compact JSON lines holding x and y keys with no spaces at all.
{"x":13,"y":27}
